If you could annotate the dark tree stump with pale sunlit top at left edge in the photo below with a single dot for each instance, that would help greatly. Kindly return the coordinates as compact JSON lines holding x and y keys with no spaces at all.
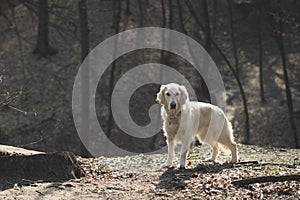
{"x":18,"y":163}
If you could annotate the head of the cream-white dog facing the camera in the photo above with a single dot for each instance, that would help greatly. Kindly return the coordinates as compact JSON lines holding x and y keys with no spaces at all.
{"x":172,"y":96}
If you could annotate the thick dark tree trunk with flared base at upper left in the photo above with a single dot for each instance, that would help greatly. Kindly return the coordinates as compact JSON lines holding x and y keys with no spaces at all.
{"x":43,"y":47}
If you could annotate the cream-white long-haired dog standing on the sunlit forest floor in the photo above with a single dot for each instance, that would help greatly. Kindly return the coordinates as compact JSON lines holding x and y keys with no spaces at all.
{"x":185,"y":119}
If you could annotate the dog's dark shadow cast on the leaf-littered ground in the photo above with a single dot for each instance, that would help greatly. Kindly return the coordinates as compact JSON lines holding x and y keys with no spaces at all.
{"x":174,"y":179}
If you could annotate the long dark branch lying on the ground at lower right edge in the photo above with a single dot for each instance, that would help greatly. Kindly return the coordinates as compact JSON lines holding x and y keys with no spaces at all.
{"x":263,"y":179}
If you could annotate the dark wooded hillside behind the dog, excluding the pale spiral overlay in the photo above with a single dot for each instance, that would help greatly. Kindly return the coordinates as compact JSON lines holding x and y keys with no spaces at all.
{"x":255,"y":44}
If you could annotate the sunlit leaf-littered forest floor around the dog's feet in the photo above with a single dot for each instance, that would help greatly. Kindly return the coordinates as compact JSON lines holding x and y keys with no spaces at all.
{"x":141,"y":177}
